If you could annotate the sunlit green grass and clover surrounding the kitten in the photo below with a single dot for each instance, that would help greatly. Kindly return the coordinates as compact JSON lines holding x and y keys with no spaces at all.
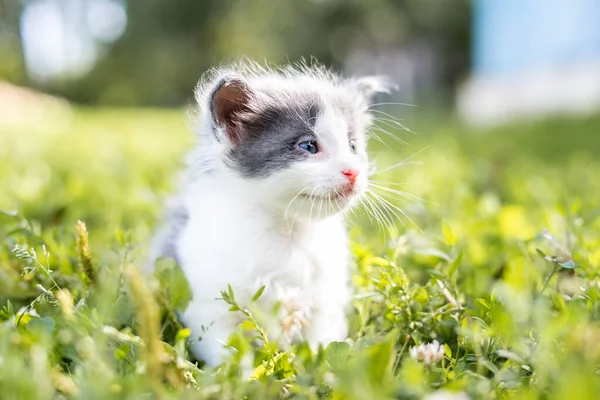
{"x":517,"y":311}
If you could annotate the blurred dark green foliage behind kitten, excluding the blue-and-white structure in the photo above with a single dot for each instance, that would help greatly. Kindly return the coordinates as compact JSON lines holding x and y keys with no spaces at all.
{"x":118,"y":52}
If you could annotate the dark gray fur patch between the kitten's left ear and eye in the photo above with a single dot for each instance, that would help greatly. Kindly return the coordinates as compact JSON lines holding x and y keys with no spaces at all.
{"x":271,"y":134}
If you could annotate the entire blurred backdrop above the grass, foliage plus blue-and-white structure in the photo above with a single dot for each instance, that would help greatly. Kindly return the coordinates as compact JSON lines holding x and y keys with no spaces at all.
{"x":491,"y":61}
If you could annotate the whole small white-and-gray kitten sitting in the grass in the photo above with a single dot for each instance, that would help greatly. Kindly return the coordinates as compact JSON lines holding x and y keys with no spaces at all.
{"x":282,"y":157}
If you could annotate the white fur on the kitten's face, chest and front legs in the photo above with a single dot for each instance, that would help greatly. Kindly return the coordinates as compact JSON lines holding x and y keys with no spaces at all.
{"x":253,"y":232}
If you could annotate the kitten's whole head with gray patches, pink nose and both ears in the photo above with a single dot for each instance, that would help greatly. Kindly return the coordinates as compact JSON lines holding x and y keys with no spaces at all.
{"x":296,"y":138}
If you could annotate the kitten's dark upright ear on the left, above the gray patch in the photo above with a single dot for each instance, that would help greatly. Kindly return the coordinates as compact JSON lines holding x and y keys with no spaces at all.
{"x":230,"y":97}
